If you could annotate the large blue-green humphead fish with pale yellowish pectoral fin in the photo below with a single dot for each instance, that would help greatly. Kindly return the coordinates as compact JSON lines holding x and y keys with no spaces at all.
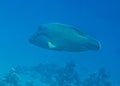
{"x":63,"y":37}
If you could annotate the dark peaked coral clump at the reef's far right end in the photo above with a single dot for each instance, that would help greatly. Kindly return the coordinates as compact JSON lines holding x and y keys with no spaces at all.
{"x":100,"y":79}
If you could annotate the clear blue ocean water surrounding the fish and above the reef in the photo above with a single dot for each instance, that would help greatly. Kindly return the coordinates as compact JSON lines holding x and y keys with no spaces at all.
{"x":19,"y":19}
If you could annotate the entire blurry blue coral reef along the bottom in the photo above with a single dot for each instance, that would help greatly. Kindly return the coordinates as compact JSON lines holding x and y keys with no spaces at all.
{"x":51,"y":74}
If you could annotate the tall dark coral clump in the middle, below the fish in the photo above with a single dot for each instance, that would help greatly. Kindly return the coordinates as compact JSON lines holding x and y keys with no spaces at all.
{"x":67,"y":76}
